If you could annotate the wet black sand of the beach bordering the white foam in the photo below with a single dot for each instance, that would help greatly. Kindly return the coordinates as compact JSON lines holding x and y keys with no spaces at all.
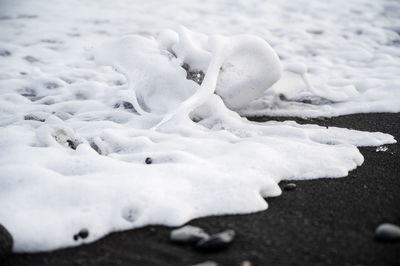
{"x":322,"y":222}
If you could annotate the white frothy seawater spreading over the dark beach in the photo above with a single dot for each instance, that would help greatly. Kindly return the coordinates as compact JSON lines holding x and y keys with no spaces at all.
{"x":54,"y":96}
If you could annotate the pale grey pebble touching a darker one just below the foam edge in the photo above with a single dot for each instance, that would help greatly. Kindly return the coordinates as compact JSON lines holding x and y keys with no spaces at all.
{"x":188,"y":235}
